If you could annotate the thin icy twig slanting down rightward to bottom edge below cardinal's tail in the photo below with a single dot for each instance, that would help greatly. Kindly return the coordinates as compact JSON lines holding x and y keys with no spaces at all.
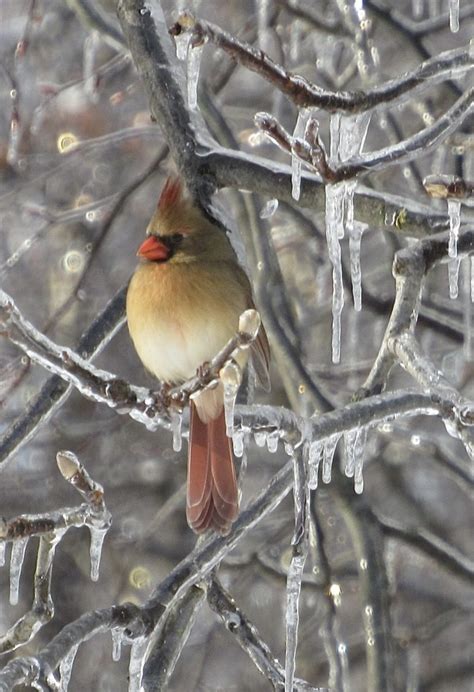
{"x":248,"y":637}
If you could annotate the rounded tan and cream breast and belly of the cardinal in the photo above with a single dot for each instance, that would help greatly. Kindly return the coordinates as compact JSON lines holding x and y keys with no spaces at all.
{"x":180,"y":316}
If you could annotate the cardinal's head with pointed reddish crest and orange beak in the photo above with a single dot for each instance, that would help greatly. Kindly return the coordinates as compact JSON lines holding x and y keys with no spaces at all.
{"x":179,"y":232}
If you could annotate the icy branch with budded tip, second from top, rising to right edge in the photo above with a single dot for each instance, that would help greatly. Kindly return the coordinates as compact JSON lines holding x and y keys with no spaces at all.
{"x":313,"y":153}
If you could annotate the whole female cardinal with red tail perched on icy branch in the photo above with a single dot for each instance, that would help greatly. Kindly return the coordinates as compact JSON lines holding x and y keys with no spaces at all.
{"x":183,"y":305}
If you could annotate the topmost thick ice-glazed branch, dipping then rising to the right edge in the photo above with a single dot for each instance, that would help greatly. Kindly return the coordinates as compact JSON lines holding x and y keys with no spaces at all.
{"x":307,"y":95}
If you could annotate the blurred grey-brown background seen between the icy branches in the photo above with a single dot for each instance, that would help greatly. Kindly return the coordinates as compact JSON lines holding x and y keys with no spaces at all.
{"x":81,"y":167}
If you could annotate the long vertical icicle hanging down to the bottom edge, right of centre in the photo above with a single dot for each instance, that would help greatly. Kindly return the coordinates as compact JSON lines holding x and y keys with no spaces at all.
{"x":293,"y":590}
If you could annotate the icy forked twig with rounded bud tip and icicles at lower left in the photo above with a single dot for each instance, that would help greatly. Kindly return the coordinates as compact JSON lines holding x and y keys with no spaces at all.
{"x":50,"y":528}
